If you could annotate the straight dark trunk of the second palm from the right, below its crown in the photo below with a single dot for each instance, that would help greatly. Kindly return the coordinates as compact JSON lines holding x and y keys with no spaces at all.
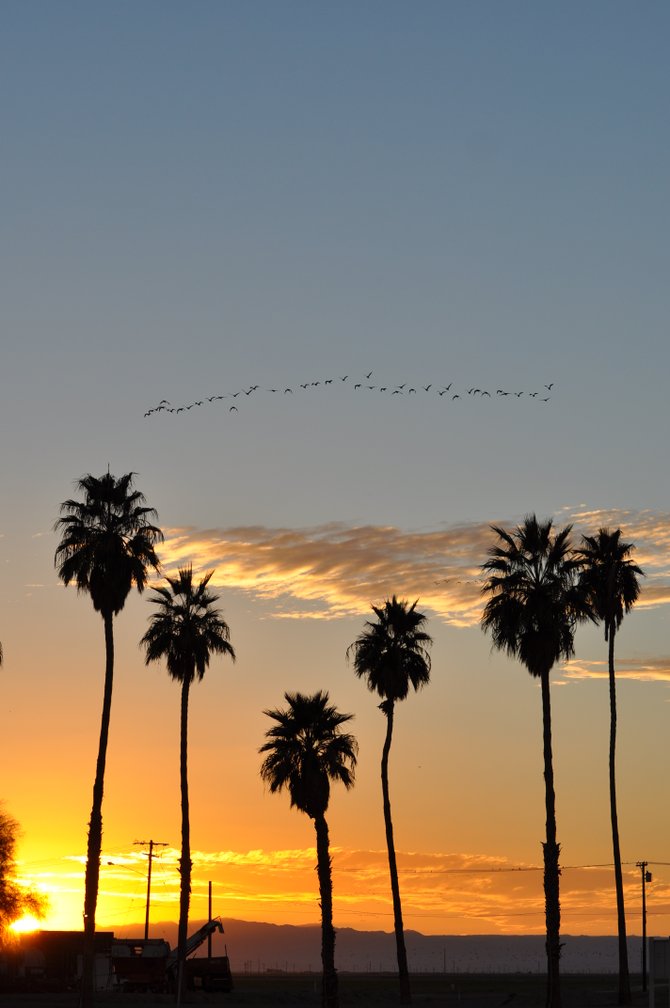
{"x":552,"y":852}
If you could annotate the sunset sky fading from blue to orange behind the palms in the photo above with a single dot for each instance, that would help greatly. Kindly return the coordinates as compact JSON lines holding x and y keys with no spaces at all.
{"x":217,"y":203}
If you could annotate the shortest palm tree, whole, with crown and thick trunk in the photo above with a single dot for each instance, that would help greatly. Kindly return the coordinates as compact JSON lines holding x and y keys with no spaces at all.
{"x":307,"y":750}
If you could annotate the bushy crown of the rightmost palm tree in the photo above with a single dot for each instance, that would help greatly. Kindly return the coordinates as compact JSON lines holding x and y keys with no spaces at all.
{"x":609,"y":577}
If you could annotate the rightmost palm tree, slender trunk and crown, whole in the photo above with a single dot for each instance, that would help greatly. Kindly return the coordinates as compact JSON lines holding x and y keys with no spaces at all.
{"x":610,"y":579}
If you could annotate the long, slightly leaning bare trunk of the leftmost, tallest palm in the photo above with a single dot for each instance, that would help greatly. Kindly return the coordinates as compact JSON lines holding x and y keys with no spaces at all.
{"x":96,"y":826}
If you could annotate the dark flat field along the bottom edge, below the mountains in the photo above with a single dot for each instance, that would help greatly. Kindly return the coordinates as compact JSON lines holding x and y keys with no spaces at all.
{"x":378,"y":991}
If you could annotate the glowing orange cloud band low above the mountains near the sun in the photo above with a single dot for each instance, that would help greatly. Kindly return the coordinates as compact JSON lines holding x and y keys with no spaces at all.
{"x":474,"y":893}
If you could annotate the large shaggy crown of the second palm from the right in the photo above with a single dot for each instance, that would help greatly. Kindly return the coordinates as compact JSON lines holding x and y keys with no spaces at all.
{"x":534,"y":602}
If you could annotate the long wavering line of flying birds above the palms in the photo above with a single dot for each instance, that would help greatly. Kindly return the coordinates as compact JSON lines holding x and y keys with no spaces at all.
{"x":363,"y":385}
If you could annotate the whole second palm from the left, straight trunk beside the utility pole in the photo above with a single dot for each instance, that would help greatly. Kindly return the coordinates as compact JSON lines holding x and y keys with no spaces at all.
{"x":186,"y":631}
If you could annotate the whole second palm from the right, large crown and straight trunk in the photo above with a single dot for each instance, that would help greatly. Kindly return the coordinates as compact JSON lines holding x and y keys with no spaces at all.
{"x":531,"y":613}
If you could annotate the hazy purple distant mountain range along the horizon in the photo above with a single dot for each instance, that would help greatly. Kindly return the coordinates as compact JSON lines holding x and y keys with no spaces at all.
{"x":259,"y":947}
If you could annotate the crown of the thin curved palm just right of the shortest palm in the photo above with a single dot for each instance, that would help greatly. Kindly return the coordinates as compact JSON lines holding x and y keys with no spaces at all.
{"x":392,"y":654}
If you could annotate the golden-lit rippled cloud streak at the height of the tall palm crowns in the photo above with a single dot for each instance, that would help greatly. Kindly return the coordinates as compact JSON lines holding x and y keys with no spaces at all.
{"x":335,"y":570}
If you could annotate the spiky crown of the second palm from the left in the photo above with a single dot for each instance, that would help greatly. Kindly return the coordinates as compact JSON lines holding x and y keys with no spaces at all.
{"x":187,"y":631}
